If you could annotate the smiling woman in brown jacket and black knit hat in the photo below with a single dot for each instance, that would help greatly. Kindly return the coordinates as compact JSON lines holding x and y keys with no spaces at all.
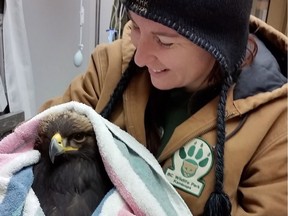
{"x":208,"y":102}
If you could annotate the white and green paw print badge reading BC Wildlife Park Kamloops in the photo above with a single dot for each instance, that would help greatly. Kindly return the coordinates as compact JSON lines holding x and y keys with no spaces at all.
{"x":189,"y":165}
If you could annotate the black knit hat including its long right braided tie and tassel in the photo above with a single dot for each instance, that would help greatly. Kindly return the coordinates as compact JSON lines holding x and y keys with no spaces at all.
{"x":221,"y":27}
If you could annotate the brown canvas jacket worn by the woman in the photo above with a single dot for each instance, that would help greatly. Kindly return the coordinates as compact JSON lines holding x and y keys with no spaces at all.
{"x":255,"y":168}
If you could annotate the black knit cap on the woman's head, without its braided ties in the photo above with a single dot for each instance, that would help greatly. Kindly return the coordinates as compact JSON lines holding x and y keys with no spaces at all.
{"x":218,"y":26}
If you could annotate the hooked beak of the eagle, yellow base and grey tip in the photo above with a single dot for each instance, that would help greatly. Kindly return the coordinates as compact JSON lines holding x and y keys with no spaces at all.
{"x":58,"y":147}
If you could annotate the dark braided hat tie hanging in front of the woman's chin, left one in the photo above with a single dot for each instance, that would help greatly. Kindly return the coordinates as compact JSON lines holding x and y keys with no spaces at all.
{"x":120,"y":88}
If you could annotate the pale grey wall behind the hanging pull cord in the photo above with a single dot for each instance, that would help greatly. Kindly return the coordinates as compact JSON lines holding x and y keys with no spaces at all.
{"x":53,"y":37}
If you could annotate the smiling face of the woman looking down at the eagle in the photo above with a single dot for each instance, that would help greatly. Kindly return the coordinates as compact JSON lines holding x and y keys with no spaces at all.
{"x":172,"y":60}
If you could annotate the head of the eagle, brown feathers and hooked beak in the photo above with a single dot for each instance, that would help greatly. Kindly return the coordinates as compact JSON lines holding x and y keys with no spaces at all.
{"x":66,"y":135}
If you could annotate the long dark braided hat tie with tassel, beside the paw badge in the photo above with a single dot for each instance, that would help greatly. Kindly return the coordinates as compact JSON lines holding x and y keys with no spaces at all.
{"x":218,"y":203}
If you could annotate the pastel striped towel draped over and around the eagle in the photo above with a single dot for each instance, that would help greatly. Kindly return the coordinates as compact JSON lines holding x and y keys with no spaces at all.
{"x":139,"y":186}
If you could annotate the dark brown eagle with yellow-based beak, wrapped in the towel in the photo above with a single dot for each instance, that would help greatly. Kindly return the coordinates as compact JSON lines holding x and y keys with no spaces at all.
{"x":70,"y":178}
